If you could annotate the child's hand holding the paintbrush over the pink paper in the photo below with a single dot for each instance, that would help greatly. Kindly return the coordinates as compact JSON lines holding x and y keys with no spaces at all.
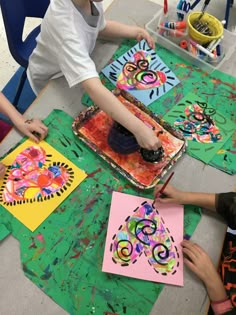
{"x":171,"y":194}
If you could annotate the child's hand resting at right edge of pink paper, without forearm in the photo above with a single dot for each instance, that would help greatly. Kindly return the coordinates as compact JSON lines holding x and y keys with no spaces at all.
{"x":198,"y":261}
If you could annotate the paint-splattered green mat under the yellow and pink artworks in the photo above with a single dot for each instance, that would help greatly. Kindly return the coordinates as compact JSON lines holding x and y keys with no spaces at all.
{"x":64,"y":255}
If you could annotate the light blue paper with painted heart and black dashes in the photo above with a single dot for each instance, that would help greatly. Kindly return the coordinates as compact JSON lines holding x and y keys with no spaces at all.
{"x":142,"y":73}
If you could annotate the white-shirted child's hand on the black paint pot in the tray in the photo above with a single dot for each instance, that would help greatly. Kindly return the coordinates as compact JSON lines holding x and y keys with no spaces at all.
{"x":147,"y":139}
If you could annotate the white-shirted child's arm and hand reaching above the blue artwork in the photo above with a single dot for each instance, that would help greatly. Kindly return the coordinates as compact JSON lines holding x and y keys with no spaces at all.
{"x":115,"y":29}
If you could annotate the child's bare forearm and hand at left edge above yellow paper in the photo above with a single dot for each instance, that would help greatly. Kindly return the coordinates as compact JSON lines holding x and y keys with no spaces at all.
{"x":27,"y":127}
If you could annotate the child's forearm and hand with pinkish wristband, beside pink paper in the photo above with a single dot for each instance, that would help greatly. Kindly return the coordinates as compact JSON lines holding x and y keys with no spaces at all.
{"x":199,"y":262}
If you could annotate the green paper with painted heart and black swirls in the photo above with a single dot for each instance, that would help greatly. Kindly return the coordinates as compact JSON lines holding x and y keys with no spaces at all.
{"x":205,"y":128}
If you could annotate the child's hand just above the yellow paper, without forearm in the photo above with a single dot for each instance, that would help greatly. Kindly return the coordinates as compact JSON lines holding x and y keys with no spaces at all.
{"x":33,"y":128}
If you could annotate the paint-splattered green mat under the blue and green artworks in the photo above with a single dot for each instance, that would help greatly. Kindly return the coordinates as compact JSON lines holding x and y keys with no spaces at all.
{"x":217,"y":89}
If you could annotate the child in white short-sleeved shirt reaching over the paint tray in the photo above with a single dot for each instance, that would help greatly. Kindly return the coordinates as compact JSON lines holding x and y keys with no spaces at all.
{"x":68,"y":35}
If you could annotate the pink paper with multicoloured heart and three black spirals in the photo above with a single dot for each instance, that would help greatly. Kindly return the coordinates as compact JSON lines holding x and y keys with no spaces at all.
{"x":144,"y":242}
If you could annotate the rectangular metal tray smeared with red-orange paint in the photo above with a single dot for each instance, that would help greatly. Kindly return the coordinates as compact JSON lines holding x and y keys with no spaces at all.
{"x":93,"y":125}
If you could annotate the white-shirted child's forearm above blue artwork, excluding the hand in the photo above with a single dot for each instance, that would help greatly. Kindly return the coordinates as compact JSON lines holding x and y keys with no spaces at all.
{"x":115,"y":29}
